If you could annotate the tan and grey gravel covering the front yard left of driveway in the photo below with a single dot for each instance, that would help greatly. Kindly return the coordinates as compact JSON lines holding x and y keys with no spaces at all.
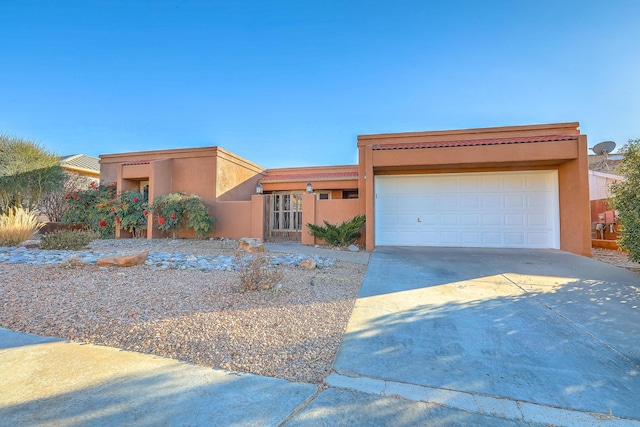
{"x":292,"y":332}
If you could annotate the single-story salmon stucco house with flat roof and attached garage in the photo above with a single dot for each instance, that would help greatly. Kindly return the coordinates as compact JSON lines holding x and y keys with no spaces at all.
{"x":518,"y":186}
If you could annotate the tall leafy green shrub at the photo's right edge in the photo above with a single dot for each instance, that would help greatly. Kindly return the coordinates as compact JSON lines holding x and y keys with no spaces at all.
{"x":626,"y":199}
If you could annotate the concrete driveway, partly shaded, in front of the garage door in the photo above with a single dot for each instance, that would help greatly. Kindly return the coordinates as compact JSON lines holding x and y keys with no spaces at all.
{"x":510,"y":332}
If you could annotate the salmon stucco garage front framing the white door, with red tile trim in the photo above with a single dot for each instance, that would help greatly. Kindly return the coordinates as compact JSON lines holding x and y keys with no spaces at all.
{"x":556,"y":146}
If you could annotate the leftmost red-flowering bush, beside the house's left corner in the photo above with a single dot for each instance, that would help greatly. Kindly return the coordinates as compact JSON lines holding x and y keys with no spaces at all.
{"x":92,"y":207}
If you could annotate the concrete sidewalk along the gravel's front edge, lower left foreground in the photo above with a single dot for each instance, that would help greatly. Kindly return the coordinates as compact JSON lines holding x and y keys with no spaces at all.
{"x":47,"y":381}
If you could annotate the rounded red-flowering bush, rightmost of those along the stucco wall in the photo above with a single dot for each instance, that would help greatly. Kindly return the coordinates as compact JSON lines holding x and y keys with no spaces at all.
{"x":177,"y":210}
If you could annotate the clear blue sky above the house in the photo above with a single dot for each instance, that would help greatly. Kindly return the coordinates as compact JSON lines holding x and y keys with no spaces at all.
{"x":292,"y":83}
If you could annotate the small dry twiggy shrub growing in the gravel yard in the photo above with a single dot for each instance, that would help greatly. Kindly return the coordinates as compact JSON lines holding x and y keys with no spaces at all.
{"x":257,"y":272}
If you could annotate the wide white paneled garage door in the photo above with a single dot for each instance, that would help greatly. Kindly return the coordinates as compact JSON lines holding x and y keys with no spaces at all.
{"x":503,"y":209}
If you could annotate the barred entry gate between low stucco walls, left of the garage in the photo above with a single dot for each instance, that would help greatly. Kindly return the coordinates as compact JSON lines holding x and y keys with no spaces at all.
{"x":283,"y":217}
